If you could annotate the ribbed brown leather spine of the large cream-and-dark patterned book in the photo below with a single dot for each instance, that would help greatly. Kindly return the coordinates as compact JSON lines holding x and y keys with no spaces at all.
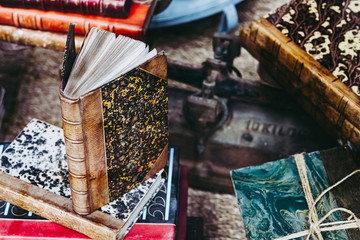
{"x":315,"y":88}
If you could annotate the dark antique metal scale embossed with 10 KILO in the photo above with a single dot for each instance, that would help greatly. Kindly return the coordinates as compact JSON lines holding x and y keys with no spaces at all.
{"x":230,"y":122}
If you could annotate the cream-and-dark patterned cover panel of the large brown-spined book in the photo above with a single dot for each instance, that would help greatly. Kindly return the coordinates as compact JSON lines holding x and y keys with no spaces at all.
{"x":328,"y":30}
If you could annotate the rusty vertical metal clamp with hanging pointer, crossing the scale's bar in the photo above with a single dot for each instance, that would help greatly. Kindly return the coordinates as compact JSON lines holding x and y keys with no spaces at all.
{"x":205,"y":111}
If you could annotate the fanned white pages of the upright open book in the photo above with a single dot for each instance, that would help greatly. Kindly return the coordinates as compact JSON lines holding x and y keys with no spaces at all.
{"x":102,"y":58}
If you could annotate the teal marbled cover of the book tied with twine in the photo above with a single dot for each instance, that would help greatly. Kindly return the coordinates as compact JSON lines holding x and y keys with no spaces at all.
{"x":272,"y":201}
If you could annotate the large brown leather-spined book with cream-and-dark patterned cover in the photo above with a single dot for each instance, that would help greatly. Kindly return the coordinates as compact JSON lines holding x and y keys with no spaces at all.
{"x":303,"y":48}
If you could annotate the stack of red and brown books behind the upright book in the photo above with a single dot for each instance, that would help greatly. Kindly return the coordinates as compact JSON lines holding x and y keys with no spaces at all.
{"x":43,"y":23}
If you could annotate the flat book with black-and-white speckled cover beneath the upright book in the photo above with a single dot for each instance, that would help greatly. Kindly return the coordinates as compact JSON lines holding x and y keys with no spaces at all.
{"x":34,"y":176}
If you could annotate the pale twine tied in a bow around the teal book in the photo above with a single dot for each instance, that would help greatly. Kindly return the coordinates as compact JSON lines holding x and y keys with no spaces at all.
{"x":317,"y":225}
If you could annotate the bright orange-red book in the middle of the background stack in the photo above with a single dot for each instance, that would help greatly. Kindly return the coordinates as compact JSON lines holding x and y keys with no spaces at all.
{"x":134,"y":26}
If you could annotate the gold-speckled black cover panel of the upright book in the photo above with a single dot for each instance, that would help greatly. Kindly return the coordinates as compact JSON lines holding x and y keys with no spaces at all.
{"x":135,"y":127}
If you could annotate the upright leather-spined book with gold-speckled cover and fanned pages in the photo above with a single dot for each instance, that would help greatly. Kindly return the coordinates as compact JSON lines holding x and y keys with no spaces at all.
{"x":113,"y":100}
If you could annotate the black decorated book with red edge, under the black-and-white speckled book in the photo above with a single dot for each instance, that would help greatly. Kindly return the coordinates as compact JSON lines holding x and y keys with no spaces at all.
{"x":163,"y":219}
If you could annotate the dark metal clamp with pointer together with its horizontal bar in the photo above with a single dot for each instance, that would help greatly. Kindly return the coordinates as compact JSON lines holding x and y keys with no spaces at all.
{"x":206,"y":110}
